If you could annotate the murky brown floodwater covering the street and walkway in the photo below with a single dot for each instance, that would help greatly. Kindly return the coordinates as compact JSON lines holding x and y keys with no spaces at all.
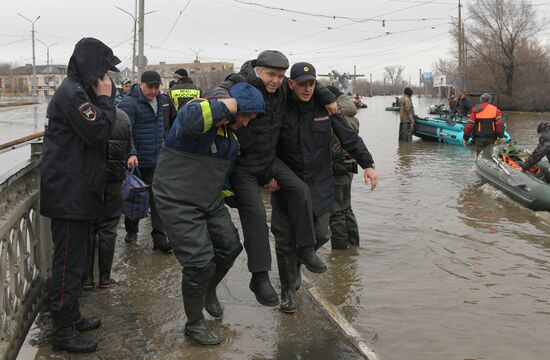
{"x":448,"y":268}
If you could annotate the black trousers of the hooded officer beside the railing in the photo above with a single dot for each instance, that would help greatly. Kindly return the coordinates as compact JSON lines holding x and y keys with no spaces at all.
{"x":71,"y":241}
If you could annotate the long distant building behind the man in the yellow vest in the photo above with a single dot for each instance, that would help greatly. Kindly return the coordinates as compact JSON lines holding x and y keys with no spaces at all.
{"x":204,"y":75}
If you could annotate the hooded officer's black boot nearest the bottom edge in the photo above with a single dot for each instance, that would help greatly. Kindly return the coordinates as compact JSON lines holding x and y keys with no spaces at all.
{"x":65,"y":337}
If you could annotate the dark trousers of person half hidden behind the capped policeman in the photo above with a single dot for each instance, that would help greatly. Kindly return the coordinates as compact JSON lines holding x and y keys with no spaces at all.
{"x":343,"y":225}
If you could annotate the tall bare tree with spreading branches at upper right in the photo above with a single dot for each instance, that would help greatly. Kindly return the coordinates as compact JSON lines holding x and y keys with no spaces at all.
{"x":498,"y":31}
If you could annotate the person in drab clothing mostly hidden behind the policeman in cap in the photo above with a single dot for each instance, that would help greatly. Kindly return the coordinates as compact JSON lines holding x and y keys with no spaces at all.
{"x":343,"y":224}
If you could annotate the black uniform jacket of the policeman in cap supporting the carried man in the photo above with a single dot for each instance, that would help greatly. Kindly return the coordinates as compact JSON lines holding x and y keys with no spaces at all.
{"x":304,"y":145}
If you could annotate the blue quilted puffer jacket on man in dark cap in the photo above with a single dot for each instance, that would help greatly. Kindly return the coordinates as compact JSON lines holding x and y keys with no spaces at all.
{"x":147,"y":128}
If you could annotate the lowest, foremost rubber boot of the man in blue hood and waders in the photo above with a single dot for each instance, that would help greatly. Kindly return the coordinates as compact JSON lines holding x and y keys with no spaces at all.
{"x":196,"y":326}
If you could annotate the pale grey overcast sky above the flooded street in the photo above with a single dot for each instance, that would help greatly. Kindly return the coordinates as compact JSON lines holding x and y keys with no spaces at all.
{"x":369,"y":34}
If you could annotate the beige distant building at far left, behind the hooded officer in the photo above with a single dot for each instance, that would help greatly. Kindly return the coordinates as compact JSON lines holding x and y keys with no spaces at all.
{"x":18,"y":81}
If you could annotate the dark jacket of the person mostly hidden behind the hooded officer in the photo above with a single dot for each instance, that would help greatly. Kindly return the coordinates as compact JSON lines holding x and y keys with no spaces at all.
{"x":119,"y":146}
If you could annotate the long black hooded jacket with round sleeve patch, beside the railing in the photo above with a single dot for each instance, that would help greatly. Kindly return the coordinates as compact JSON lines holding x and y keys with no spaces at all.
{"x":77,"y":127}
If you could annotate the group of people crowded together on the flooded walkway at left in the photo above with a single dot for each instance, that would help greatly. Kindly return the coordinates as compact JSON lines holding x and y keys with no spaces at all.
{"x":258,"y":129}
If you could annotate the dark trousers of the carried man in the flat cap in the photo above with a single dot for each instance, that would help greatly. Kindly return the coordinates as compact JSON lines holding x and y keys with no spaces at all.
{"x":246,"y":186}
